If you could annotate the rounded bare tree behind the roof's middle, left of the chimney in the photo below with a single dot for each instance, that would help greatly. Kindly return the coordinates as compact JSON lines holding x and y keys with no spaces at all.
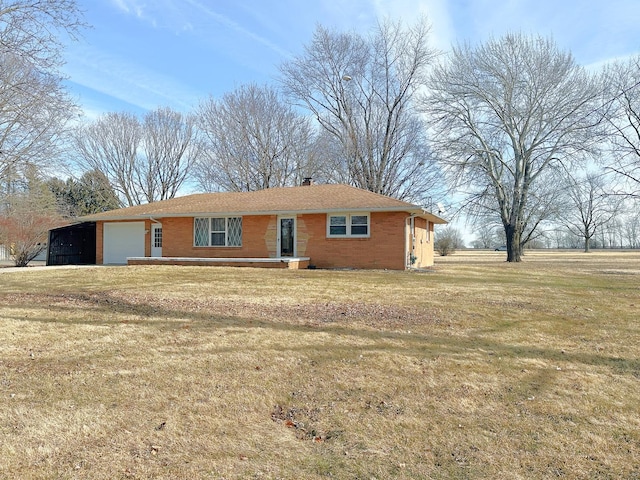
{"x":254,"y":141}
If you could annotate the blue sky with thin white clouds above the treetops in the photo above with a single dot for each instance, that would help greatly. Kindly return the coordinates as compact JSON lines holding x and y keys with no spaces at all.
{"x":143,"y":54}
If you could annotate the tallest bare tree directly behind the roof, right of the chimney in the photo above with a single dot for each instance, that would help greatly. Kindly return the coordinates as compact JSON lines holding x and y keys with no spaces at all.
{"x":362,"y":91}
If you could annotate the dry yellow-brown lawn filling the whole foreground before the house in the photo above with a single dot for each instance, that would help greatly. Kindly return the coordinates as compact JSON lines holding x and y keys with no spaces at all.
{"x":479,"y":369}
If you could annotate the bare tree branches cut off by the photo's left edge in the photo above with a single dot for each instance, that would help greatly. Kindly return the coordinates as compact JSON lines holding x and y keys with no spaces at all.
{"x":34,"y":107}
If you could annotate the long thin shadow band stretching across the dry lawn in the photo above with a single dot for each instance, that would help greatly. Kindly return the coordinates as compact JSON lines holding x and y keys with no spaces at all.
{"x":104,"y":310}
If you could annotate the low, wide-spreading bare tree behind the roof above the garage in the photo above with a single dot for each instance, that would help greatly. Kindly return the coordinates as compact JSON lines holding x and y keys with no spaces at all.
{"x":144,"y":161}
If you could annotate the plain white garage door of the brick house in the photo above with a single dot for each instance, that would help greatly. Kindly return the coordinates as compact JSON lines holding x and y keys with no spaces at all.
{"x":122,"y":240}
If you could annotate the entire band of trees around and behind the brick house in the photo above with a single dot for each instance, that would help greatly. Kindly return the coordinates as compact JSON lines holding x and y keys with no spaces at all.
{"x":514,"y":130}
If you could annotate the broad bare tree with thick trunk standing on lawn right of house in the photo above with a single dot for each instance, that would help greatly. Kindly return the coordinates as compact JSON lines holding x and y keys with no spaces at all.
{"x":508,"y":117}
